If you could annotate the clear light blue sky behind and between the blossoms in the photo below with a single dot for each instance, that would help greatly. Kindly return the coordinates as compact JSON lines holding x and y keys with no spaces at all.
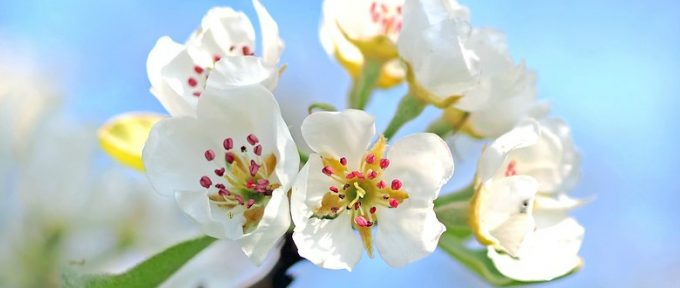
{"x":610,"y":68}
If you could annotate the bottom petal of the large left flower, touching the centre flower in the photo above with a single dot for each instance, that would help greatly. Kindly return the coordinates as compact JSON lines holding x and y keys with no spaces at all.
{"x":274,"y":224}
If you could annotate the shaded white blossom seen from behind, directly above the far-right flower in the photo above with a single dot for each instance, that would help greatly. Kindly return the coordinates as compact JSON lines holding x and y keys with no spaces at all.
{"x":507,"y":89}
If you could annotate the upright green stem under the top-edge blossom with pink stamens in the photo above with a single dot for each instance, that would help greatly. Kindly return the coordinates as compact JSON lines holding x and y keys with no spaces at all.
{"x":364,"y":83}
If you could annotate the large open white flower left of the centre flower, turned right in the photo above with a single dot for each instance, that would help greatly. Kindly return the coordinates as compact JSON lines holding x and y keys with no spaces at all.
{"x":230,"y":167}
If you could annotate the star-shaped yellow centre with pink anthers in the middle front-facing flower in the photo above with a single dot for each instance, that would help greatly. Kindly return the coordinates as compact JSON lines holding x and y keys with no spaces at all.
{"x":360,"y":192}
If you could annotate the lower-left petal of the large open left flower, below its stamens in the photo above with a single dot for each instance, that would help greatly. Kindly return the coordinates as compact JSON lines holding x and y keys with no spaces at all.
{"x":213,"y":220}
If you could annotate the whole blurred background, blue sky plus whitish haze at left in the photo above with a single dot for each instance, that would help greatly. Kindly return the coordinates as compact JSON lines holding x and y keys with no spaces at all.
{"x":609,"y":68}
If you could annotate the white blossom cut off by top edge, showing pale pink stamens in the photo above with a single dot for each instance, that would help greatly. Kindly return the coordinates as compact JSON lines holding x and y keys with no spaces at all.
{"x":361,"y":20}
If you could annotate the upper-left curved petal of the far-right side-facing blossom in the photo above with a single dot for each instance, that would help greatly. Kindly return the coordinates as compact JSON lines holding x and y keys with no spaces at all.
{"x":492,"y":159}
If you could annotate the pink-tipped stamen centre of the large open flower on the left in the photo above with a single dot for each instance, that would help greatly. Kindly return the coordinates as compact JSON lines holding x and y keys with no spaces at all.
{"x":244,"y":180}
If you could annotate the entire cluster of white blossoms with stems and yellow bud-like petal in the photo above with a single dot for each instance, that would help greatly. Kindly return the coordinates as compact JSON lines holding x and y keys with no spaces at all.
{"x":228,"y":158}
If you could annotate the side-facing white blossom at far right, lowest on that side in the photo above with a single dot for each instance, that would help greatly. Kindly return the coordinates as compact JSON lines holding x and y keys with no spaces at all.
{"x":520,"y":209}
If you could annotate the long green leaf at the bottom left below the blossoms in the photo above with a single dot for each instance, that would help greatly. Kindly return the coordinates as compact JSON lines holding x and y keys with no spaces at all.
{"x":150,"y":273}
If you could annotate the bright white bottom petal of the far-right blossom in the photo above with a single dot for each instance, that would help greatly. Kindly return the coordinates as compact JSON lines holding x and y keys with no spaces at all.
{"x":547,"y":254}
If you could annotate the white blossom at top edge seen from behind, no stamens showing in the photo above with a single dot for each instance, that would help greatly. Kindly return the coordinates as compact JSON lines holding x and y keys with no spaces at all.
{"x":433,"y":42}
